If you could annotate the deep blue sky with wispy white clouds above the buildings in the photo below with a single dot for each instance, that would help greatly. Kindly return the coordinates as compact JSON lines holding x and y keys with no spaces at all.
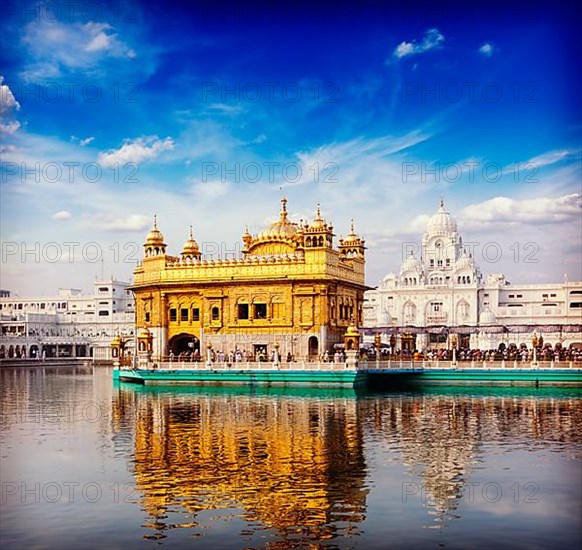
{"x":203,"y":114}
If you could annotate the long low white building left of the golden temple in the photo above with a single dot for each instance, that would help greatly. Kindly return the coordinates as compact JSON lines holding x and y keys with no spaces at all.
{"x":69,"y":324}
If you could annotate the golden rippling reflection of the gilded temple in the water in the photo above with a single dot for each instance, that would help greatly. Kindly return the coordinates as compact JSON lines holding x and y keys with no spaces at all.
{"x":289,"y":463}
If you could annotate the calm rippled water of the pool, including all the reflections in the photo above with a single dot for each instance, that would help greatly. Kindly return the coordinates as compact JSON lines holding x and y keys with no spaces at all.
{"x":85,"y":464}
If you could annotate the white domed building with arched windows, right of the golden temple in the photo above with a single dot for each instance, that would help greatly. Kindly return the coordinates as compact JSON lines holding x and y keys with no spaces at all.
{"x":442,"y":291}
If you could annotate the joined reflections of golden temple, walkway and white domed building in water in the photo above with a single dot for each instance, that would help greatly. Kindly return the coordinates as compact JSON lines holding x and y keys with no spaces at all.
{"x":299,"y":464}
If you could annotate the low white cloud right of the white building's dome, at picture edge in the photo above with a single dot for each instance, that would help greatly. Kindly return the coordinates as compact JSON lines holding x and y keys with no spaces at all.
{"x":539,"y":210}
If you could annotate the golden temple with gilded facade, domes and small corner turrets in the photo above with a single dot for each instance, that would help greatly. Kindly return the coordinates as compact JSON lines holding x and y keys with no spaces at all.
{"x":291,"y":287}
